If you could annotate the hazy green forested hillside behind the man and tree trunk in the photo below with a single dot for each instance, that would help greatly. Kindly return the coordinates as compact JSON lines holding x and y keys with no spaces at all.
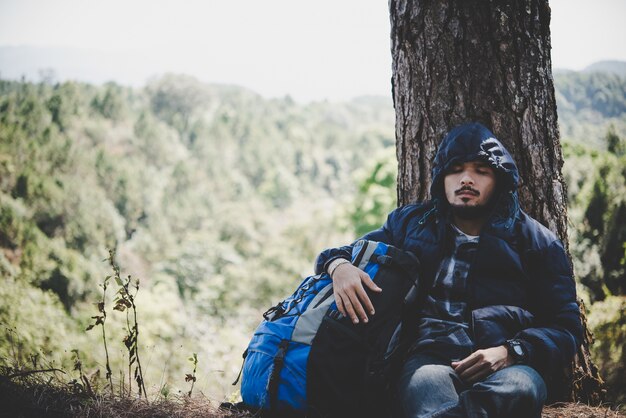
{"x":215,"y":201}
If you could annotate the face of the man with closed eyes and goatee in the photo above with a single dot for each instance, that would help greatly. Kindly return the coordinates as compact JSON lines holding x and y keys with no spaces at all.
{"x":470,"y":185}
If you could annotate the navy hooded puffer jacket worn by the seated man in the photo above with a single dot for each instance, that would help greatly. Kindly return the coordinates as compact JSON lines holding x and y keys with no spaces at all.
{"x":519,"y":263}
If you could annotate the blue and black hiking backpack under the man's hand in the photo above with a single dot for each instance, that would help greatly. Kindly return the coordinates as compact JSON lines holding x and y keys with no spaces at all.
{"x":307,"y":359}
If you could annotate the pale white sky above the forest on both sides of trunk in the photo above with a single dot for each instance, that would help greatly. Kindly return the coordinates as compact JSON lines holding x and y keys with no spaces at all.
{"x":310,"y":50}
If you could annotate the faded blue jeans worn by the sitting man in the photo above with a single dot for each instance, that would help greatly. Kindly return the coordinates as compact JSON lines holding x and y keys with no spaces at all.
{"x":429,"y":388}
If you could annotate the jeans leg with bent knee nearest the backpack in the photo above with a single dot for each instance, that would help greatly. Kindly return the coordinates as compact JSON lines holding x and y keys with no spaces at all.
{"x":426,"y":385}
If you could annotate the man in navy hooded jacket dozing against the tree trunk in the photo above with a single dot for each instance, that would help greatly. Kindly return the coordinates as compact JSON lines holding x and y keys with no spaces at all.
{"x":501,"y":319}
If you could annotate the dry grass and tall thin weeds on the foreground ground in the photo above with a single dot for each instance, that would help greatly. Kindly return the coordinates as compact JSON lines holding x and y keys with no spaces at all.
{"x":37,"y":389}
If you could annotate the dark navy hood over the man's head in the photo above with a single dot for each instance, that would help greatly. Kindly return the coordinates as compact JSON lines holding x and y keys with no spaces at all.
{"x":471,"y":142}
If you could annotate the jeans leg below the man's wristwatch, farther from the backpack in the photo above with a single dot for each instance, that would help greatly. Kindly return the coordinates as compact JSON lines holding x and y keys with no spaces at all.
{"x":513,"y":392}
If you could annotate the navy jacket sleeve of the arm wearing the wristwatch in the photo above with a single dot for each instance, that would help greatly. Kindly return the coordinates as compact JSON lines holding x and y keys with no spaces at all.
{"x":553,"y":341}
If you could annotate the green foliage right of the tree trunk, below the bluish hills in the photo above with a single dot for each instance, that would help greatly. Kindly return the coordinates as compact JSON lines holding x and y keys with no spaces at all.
{"x":597,"y":214}
